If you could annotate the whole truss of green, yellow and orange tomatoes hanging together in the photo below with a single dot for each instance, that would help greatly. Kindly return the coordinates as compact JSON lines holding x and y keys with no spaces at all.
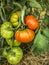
{"x":15,"y":54}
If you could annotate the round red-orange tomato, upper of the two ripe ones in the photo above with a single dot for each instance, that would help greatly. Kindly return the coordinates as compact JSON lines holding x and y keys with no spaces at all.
{"x":31,"y":22}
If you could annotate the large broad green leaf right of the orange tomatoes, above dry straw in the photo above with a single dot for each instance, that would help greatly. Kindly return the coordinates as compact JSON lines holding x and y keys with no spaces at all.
{"x":40,"y":43}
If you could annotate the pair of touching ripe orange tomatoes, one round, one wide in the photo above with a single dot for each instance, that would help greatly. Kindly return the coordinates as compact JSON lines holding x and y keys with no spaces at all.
{"x":27,"y":35}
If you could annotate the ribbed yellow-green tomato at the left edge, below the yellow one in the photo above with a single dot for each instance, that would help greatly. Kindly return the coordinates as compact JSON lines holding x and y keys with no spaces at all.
{"x":5,"y":30}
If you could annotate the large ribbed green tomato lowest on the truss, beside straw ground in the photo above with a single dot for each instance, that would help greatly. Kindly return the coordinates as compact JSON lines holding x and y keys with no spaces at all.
{"x":14,"y":55}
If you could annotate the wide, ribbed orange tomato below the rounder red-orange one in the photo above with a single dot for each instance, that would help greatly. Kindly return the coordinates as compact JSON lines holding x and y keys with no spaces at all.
{"x":24,"y":36}
